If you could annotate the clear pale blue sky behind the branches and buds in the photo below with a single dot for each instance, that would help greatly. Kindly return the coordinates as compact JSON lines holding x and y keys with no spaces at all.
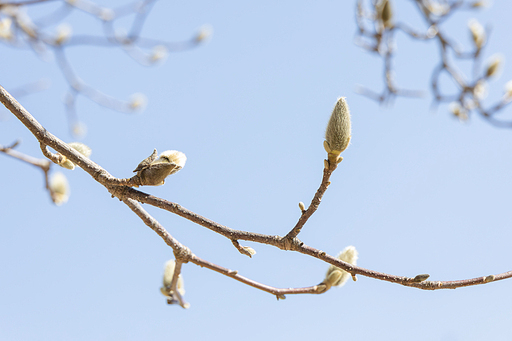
{"x":417,"y":192}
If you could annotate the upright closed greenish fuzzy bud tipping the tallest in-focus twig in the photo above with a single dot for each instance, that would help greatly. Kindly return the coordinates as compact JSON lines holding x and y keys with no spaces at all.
{"x":338,"y":132}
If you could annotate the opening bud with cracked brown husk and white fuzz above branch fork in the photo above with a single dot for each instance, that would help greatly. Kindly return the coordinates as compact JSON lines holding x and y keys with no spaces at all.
{"x":153,"y":171}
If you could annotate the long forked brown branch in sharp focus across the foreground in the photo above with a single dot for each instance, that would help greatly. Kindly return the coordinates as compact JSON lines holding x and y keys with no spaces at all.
{"x":131,"y":197}
